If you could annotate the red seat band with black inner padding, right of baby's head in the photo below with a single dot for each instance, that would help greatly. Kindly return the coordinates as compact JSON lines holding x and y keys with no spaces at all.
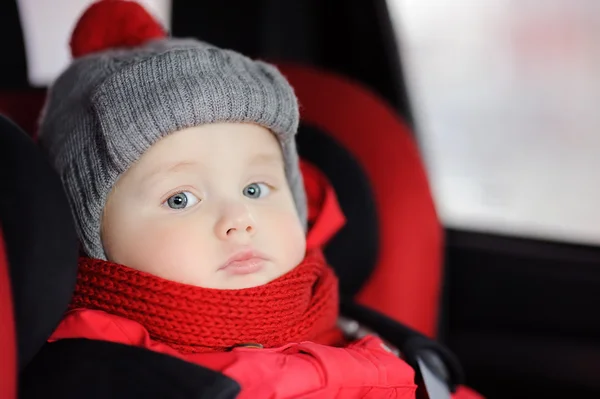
{"x":393,"y":261}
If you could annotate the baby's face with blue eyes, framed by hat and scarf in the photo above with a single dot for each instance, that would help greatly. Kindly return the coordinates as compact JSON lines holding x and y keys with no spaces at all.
{"x":208,"y":206}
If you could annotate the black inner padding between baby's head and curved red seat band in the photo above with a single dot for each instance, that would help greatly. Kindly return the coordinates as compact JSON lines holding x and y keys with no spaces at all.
{"x":352,"y":252}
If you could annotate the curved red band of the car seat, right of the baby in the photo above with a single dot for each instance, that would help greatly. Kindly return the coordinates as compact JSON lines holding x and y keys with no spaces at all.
{"x":406,"y":283}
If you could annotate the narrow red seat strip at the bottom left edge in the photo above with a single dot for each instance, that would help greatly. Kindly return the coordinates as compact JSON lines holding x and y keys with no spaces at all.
{"x":8,"y":357}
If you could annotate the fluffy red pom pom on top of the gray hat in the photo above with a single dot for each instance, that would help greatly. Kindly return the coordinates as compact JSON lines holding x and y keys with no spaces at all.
{"x":113,"y":23}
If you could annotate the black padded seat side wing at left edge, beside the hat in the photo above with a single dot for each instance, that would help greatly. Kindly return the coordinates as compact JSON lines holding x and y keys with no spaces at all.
{"x":41,"y":242}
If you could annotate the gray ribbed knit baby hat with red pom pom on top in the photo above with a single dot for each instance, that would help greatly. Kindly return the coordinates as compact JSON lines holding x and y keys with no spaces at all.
{"x":124,"y":92}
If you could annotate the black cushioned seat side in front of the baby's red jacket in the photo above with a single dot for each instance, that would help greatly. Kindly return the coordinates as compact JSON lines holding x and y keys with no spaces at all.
{"x":80,"y":368}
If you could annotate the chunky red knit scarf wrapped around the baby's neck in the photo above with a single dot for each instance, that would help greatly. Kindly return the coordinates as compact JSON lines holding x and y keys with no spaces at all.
{"x":301,"y":305}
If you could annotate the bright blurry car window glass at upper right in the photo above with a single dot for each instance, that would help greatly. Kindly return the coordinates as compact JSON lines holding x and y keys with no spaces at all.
{"x":506,"y":95}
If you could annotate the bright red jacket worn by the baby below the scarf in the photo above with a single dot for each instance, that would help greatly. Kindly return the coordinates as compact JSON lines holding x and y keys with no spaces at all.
{"x":364,"y":369}
